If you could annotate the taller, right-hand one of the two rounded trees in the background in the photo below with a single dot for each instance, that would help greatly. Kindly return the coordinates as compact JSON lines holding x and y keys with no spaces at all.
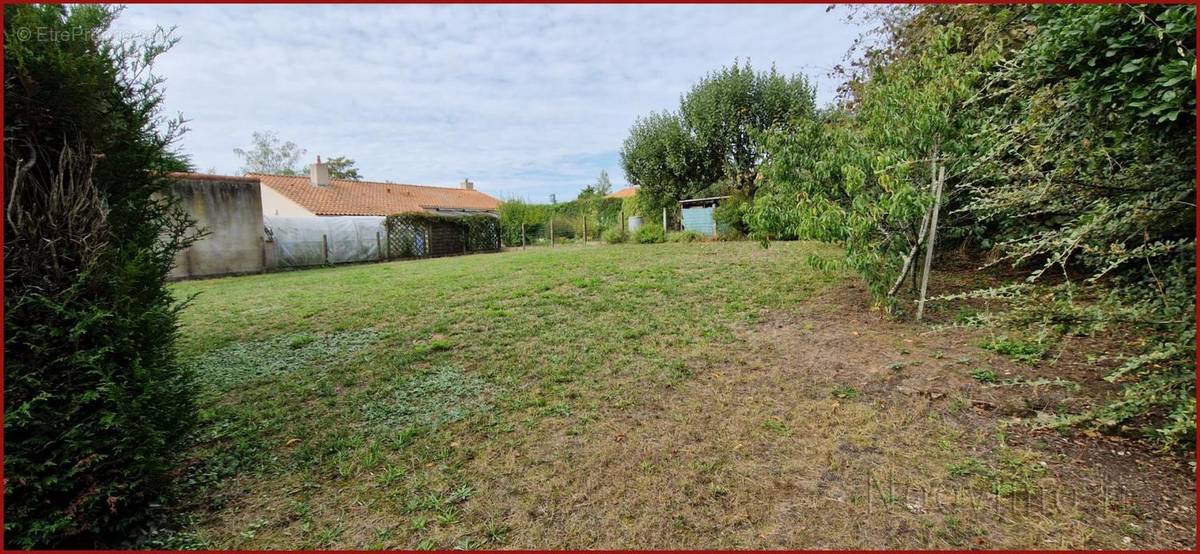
{"x":730,"y":109}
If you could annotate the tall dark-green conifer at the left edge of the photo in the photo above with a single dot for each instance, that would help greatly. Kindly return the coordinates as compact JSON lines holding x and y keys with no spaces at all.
{"x":97,"y":407}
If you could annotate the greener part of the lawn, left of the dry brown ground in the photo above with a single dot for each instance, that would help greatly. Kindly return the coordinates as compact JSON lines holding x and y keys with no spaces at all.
{"x":377,"y":386}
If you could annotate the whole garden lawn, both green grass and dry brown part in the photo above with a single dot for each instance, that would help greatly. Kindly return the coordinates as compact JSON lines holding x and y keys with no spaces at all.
{"x":686,"y":395}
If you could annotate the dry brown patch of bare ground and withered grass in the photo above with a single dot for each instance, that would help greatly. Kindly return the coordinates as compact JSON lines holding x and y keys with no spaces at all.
{"x":832,"y":427}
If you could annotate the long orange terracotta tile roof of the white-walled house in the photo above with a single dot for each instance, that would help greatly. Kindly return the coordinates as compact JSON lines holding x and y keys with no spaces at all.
{"x":367,"y":198}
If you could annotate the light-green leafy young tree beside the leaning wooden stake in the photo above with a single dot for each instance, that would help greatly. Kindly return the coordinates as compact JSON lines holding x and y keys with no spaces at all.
{"x":863,"y":177}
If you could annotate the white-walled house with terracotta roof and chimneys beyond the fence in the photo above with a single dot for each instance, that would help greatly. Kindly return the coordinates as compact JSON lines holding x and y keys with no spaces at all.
{"x":319,"y":195}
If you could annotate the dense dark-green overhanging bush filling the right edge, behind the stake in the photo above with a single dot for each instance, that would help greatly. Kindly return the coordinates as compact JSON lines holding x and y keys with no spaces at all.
{"x":1089,"y":170}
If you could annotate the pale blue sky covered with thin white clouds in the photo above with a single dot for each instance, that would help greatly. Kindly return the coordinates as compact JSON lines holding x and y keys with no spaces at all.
{"x":526,"y":101}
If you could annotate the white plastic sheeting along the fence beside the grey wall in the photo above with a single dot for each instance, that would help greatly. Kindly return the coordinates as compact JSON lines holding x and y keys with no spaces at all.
{"x":302,"y":242}
